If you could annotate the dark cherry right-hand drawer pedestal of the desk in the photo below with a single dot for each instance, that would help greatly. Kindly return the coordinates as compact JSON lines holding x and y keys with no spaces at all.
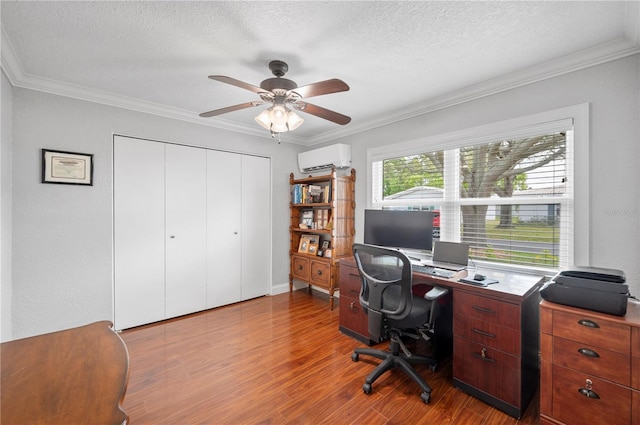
{"x":495,"y":347}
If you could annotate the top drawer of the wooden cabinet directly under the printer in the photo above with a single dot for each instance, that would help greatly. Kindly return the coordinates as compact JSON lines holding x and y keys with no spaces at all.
{"x":592,"y":331}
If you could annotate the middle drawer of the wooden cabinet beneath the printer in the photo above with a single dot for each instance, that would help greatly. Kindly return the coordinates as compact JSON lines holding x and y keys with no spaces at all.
{"x":592,"y":360}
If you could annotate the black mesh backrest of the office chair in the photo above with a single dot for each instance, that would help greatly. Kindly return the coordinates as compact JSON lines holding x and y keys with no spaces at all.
{"x":385,"y":290}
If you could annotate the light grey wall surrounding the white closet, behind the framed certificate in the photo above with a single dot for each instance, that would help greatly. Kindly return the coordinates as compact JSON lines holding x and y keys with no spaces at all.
{"x":62,"y":234}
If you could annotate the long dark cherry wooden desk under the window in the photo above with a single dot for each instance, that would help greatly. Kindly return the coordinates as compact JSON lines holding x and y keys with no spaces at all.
{"x":495,"y":332}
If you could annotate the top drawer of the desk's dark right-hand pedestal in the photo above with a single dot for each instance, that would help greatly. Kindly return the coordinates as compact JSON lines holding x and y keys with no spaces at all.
{"x":486,"y":309}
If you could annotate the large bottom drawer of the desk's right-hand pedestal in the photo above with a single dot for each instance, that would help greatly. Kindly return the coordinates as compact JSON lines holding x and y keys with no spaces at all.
{"x":487,"y":369}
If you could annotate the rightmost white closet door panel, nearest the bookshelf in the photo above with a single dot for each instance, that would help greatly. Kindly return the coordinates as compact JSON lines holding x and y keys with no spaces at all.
{"x":256,"y":226}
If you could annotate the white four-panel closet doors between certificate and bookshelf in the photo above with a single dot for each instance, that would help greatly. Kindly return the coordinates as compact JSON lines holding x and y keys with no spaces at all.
{"x":190,"y":229}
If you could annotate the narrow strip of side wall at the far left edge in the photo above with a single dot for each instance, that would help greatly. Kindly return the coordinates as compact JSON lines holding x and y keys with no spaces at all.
{"x":6,"y":105}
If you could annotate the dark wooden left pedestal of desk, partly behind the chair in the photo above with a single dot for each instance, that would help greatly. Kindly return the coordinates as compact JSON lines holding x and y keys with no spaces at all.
{"x":353,"y":320}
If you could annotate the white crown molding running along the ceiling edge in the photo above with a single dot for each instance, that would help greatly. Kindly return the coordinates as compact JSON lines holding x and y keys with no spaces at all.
{"x":570,"y":63}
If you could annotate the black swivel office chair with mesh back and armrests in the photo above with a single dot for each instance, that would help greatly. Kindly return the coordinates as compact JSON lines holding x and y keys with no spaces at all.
{"x":392,"y":312}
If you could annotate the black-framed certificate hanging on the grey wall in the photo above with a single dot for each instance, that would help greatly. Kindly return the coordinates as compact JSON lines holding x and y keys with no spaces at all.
{"x":62,"y":167}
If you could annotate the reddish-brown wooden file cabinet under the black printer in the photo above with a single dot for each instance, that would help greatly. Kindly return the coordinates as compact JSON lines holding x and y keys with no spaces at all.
{"x":590,"y":366}
